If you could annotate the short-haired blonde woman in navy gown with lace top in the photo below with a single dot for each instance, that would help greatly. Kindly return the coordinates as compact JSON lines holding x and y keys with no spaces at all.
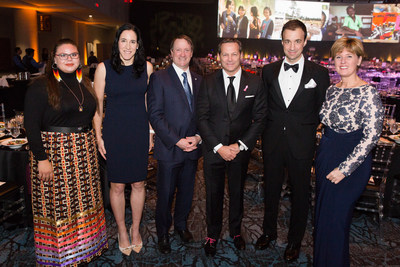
{"x":352,"y":115}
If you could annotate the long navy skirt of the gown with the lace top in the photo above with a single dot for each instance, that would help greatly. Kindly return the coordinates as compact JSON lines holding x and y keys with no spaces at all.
{"x":335,"y":202}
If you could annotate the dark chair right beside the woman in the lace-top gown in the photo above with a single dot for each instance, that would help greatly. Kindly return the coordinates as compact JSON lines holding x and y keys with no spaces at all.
{"x":372,"y":198}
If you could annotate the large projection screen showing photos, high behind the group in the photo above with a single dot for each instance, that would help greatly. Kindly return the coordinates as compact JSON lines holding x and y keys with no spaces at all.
{"x":263,"y":19}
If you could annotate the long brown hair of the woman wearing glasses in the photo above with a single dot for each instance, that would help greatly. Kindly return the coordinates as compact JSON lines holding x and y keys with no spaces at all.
{"x":53,"y":86}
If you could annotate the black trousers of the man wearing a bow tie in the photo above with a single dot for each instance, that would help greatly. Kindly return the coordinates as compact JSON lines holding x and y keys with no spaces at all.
{"x":299,"y":174}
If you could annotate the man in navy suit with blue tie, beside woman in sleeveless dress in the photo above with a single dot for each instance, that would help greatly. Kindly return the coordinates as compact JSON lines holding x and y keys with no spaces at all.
{"x":170,"y":102}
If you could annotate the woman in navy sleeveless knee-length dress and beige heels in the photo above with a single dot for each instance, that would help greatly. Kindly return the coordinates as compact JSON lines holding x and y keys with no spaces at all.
{"x":125,"y":140}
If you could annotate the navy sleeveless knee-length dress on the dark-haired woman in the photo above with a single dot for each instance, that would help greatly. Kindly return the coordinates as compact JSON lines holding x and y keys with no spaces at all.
{"x":126,"y":126}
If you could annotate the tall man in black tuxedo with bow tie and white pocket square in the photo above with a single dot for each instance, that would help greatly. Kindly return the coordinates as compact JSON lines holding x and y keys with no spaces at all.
{"x":295,"y":91}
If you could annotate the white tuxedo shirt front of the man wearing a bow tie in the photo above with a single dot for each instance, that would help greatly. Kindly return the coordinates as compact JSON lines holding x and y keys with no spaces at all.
{"x":289,"y":80}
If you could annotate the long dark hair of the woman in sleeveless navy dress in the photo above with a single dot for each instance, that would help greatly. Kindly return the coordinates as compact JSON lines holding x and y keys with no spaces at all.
{"x":139,"y":60}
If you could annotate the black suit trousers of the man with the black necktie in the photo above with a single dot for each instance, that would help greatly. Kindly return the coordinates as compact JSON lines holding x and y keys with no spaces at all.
{"x":215,"y":169}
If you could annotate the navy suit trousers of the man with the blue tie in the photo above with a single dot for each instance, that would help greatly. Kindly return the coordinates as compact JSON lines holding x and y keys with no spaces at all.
{"x":171,"y":175}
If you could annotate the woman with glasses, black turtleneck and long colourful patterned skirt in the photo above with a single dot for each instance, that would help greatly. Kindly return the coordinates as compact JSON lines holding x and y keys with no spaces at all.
{"x":68,"y":213}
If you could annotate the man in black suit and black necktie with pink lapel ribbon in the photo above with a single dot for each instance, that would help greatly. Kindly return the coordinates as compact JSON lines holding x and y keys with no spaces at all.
{"x":231,"y":110}
